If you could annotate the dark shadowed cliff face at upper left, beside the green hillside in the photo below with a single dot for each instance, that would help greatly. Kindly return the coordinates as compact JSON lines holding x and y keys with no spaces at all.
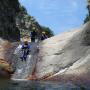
{"x":8,"y":11}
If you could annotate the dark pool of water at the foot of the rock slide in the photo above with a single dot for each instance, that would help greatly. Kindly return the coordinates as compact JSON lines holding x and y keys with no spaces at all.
{"x":36,"y":85}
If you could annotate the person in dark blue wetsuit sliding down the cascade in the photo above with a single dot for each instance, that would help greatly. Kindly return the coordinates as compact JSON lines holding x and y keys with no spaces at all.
{"x":25,"y":50}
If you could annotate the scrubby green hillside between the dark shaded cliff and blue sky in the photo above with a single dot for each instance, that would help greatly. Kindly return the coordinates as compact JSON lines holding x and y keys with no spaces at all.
{"x":27,"y":23}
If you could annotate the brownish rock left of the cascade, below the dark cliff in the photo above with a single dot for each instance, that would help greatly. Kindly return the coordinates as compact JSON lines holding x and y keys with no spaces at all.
{"x":7,"y":59}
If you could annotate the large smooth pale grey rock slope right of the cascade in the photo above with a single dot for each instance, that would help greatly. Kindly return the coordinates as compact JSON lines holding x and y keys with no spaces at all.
{"x":66,"y":56}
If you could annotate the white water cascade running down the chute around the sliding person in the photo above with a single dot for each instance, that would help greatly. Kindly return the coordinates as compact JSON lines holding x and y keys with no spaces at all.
{"x":23,"y":69}
